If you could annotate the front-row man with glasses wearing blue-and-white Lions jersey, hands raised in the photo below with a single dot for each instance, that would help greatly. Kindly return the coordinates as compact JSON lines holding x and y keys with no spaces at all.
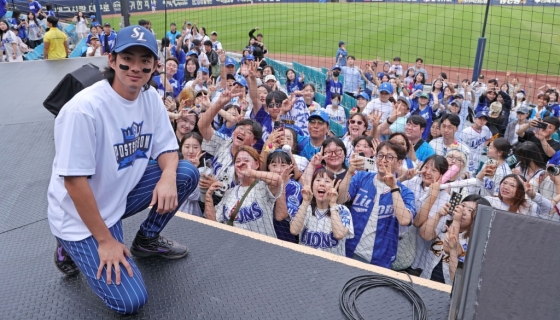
{"x":380,"y":204}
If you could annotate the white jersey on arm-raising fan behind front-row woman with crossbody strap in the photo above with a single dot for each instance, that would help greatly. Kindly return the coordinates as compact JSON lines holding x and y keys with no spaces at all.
{"x":222,"y":163}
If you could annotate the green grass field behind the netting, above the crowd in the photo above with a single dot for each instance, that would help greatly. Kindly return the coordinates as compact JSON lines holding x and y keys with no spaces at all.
{"x":520,"y":39}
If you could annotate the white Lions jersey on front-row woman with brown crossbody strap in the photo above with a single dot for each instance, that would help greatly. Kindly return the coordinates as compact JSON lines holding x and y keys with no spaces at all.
{"x":256,"y":212}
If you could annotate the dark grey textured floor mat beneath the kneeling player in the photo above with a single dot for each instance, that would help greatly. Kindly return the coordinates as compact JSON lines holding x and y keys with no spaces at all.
{"x":225,"y":276}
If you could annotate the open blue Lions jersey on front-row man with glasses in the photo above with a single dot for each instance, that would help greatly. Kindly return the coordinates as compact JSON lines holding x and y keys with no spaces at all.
{"x":363,"y":193}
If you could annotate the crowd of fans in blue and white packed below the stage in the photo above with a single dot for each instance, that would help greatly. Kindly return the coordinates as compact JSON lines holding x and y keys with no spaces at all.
{"x":399,"y":189}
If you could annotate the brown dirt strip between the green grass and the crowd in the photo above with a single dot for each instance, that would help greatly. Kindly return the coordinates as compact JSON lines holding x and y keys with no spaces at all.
{"x":453,"y":73}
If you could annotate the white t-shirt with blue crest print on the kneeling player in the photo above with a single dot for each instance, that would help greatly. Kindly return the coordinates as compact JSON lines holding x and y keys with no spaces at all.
{"x":100,"y":134}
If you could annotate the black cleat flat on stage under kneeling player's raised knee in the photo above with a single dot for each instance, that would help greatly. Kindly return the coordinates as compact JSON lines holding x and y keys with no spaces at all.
{"x":157,"y":246}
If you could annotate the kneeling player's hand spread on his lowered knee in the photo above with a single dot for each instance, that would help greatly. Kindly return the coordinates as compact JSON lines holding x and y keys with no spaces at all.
{"x":111,"y":255}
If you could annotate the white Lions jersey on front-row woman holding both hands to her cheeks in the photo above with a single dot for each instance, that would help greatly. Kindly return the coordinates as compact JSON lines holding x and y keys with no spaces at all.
{"x":317,"y":231}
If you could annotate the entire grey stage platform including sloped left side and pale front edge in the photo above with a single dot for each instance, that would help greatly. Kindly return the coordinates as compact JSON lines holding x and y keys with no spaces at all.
{"x":229,"y":273}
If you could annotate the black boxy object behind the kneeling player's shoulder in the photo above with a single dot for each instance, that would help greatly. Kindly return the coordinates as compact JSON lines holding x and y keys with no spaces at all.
{"x":70,"y":85}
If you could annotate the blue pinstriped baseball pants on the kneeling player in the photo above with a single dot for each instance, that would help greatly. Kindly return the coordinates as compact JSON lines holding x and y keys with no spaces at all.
{"x":131,"y":294}
